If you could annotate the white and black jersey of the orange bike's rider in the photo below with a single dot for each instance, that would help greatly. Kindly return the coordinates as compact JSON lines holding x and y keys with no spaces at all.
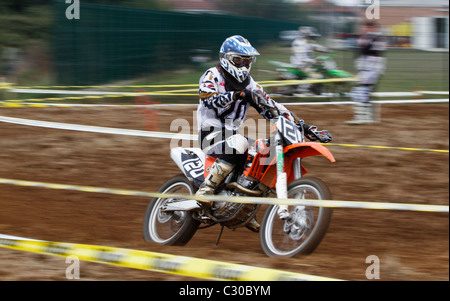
{"x":217,"y":109}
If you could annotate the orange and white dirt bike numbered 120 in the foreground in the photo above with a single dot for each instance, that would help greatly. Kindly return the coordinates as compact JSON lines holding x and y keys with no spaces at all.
{"x":273,"y":165}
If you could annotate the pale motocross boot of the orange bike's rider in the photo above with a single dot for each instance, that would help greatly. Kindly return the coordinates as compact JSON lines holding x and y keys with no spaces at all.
{"x":218,"y":172}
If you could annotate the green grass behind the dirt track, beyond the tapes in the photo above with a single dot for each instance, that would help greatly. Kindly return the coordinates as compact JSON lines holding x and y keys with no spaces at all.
{"x":407,"y":70}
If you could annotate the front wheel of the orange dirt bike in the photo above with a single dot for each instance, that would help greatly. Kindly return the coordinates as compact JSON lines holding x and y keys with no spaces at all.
{"x":306,"y":227}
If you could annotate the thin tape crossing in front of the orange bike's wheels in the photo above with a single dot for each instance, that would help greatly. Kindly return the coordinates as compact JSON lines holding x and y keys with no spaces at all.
{"x":245,"y":200}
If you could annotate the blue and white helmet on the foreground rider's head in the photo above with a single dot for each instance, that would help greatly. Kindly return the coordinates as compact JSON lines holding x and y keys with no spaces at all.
{"x":237,"y":56}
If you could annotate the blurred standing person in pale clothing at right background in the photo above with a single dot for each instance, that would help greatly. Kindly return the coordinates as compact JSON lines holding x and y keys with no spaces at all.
{"x":370,"y":65}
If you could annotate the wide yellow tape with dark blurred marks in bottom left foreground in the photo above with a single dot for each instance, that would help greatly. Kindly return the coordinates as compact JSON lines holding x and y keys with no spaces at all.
{"x":159,"y":262}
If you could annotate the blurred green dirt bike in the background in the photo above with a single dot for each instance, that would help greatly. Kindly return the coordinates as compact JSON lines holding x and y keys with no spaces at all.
{"x":324,"y":68}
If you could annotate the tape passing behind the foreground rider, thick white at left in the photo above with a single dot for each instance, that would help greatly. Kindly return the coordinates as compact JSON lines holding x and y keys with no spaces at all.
{"x":167,"y":135}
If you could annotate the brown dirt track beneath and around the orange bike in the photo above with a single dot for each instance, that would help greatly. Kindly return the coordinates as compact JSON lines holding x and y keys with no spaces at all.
{"x":410,"y":245}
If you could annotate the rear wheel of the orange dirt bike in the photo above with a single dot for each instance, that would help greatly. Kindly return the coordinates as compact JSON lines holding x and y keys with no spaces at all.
{"x":170,"y":228}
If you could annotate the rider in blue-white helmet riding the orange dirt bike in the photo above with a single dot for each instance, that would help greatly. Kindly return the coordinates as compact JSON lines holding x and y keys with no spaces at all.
{"x":226,"y":92}
